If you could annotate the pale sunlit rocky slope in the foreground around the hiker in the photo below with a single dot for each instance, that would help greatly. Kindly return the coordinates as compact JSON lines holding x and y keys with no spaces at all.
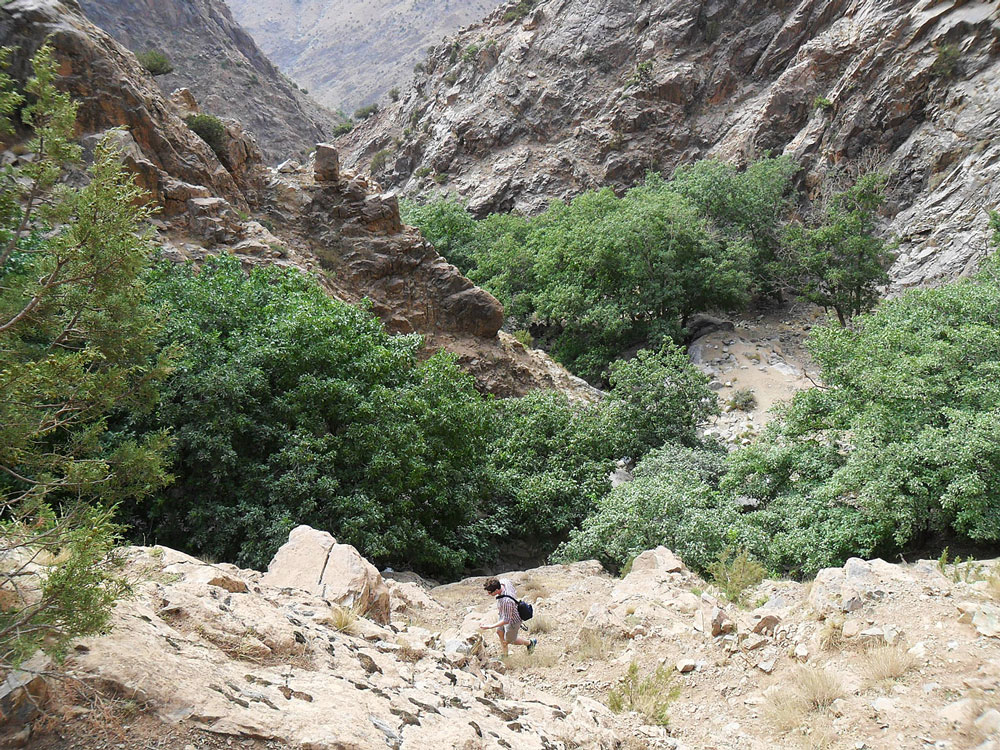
{"x":871,"y":655}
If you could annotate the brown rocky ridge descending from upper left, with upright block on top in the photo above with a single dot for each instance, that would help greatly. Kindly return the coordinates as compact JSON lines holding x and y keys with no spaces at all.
{"x":334,"y":224}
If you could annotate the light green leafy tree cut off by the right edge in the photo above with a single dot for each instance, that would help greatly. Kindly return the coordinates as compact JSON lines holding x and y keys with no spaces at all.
{"x":901,"y":443}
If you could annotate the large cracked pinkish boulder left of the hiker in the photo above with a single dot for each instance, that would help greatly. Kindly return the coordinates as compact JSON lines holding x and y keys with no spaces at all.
{"x":313,"y":561}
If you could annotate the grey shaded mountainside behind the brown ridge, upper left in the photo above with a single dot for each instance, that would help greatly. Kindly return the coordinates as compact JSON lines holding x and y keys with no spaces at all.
{"x":219,"y":62}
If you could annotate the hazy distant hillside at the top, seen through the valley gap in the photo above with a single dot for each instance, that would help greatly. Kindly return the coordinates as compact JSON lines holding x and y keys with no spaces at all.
{"x":351,"y":52}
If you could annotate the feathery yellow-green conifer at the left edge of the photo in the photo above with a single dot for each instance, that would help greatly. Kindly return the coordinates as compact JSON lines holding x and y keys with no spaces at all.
{"x":76,"y":342}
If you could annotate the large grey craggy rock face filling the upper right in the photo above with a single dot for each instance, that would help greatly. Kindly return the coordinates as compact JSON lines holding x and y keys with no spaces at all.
{"x":546,"y":99}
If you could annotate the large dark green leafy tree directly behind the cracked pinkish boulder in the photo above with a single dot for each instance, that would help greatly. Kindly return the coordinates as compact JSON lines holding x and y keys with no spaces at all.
{"x":291,"y":407}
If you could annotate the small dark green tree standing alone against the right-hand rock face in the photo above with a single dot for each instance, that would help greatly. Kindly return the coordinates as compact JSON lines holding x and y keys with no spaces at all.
{"x":842,"y":262}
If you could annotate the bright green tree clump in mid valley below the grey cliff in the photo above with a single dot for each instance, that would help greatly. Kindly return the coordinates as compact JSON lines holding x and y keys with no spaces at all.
{"x":602,"y":273}
